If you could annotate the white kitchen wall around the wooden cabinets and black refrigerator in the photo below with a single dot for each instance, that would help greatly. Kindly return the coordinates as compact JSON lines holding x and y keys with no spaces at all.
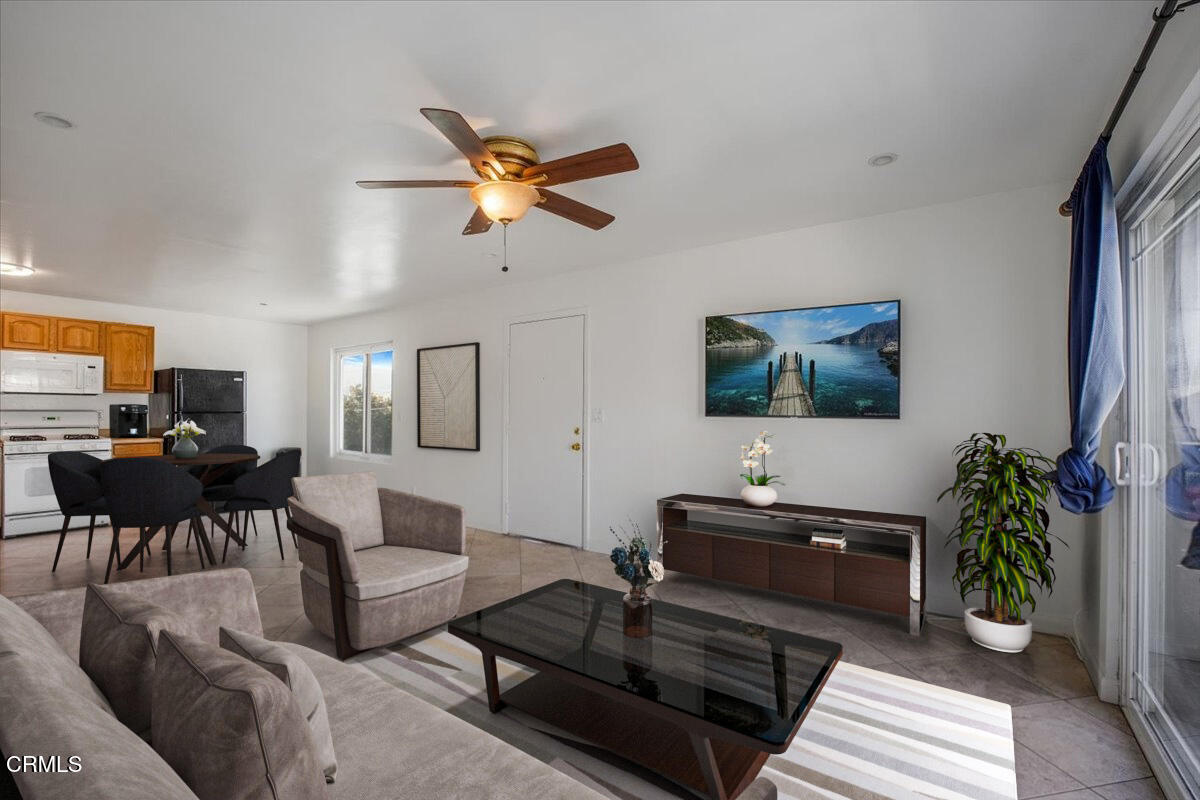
{"x":274,"y":357}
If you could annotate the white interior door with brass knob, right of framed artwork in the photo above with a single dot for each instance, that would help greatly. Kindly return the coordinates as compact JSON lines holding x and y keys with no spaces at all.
{"x":545,"y":431}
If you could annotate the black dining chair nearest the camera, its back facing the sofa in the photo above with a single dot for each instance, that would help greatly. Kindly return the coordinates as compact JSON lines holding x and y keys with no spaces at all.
{"x":147,"y":494}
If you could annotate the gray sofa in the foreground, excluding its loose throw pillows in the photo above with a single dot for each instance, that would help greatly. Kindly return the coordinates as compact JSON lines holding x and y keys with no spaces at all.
{"x":389,"y":744}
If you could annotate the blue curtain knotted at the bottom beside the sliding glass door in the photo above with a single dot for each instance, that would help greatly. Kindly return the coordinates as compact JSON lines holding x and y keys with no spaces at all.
{"x":1095,"y":335}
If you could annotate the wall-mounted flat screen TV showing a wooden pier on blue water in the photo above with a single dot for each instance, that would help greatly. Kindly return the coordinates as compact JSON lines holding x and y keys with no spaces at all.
{"x":832,"y":362}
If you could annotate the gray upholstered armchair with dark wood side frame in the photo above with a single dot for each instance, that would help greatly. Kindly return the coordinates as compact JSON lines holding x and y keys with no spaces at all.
{"x":377,"y":566}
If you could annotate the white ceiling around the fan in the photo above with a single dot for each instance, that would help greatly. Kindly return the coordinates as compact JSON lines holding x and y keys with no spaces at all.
{"x":217,"y":147}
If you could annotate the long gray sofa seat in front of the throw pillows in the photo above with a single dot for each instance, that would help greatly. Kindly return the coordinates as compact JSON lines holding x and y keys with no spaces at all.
{"x":392,"y":744}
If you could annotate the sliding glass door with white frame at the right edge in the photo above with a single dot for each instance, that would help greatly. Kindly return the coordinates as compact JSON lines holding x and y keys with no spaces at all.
{"x":1162,"y":683}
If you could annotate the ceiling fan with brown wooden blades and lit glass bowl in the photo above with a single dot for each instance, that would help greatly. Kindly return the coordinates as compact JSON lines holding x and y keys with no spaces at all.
{"x":514,"y":178}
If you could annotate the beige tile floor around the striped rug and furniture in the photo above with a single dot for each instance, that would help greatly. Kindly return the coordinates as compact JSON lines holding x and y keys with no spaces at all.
{"x":1070,"y":745}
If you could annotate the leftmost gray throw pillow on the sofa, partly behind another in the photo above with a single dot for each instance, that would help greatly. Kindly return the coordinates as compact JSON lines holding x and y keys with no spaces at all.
{"x":118,"y":648}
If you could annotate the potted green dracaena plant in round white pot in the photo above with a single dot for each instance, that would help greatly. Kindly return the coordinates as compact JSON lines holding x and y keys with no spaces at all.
{"x":1003,"y":530}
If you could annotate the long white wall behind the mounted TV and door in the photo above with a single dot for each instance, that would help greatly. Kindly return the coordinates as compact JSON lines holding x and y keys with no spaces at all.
{"x":985,"y":291}
